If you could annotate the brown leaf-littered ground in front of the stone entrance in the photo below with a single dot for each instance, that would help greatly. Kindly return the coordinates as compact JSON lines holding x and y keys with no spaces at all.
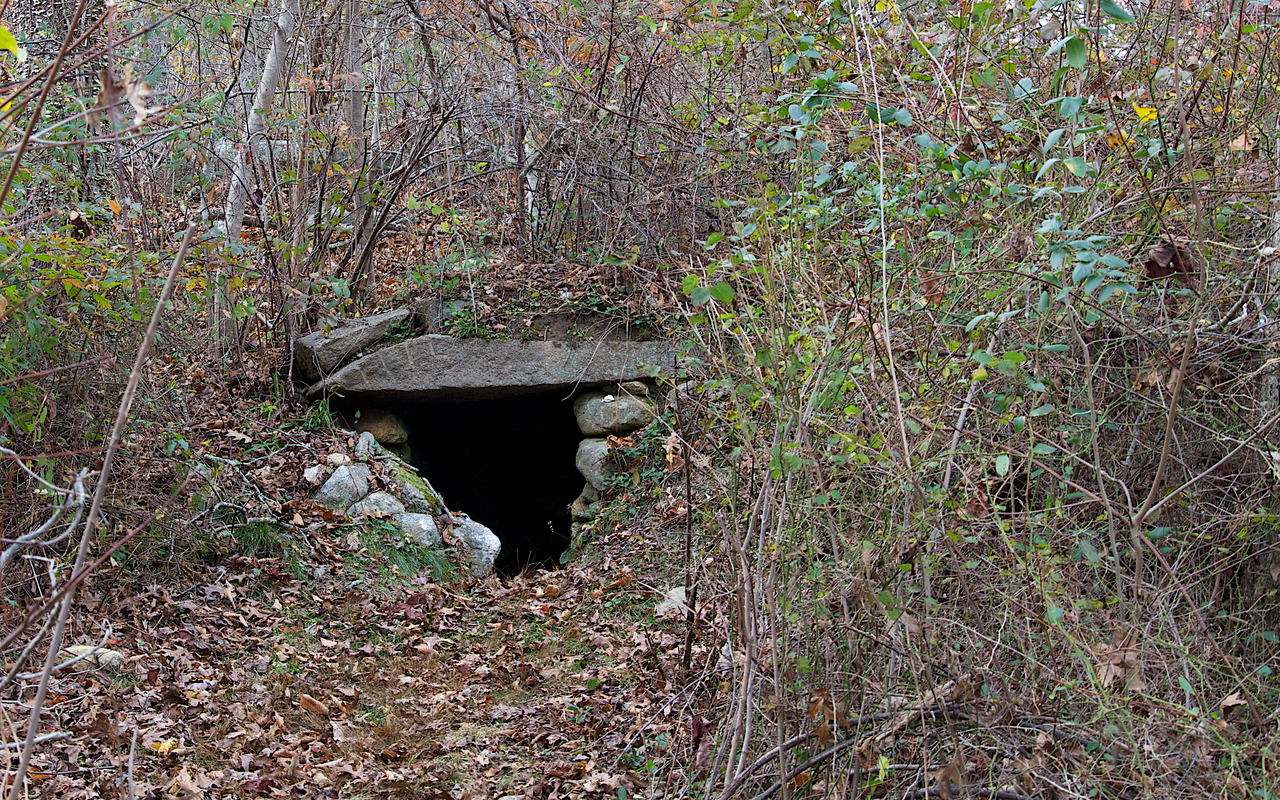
{"x":244,"y":682}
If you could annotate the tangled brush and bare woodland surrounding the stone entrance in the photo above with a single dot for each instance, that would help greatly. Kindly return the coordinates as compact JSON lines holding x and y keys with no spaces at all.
{"x":975,"y":487}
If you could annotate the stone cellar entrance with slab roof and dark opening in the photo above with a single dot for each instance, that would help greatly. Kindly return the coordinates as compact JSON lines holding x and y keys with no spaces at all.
{"x":500,"y":428}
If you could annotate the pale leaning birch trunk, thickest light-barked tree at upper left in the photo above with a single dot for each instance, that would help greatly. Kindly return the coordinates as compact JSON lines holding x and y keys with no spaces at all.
{"x":223,"y":323}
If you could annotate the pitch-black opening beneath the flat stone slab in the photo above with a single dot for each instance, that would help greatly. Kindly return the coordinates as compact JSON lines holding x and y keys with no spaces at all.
{"x":506,"y":463}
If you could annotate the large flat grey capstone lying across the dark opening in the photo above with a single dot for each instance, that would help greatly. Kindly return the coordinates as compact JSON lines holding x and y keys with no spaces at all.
{"x":444,"y":368}
